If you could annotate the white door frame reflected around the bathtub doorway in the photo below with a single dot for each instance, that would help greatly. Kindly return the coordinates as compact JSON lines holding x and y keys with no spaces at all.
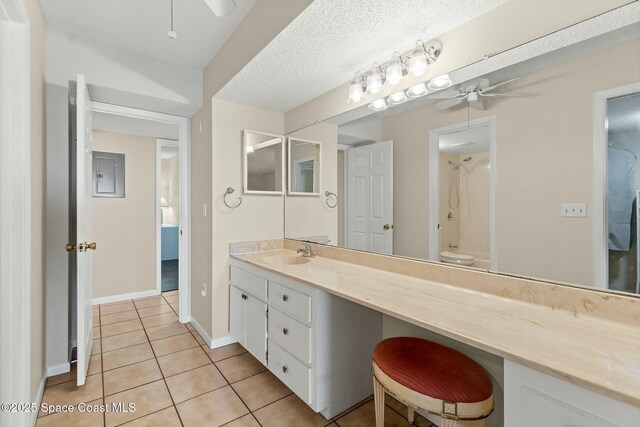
{"x":434,"y":185}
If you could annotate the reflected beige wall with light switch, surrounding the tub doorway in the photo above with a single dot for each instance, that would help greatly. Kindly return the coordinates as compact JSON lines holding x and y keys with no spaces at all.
{"x":544,"y":154}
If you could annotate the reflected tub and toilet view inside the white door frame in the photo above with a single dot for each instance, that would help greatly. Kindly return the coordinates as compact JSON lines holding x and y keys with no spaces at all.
{"x":464,"y":196}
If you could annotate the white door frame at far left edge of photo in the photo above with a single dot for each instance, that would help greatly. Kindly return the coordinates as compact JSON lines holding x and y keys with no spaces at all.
{"x":15,"y":210}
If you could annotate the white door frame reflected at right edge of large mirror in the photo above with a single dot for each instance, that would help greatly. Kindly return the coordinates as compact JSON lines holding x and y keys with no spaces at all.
{"x":600,"y":232}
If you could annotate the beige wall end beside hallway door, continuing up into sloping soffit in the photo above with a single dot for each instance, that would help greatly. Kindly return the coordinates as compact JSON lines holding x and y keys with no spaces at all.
{"x":264,"y":22}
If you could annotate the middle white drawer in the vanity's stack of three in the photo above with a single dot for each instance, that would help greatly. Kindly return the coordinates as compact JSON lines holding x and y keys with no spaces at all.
{"x":290,"y":334}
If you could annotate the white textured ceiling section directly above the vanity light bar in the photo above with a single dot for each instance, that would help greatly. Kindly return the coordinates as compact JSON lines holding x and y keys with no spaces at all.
{"x":324,"y":46}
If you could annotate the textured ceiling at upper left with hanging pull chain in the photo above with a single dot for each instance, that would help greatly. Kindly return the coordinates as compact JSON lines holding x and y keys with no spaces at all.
{"x":141,"y":26}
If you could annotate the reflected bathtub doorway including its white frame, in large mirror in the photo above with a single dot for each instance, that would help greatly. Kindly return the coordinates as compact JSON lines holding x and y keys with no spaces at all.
{"x":462,"y":194}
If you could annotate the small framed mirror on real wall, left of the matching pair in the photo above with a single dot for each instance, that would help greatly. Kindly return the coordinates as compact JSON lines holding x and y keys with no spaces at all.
{"x":263,"y":163}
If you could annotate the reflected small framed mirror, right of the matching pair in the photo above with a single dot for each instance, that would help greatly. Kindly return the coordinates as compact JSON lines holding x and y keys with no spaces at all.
{"x":304,"y":167}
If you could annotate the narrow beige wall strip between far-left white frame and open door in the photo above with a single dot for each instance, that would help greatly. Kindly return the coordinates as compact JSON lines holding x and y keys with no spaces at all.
{"x":37,"y":58}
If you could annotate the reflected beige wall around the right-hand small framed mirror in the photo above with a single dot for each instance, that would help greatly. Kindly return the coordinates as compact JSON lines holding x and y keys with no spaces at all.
{"x":310,"y":215}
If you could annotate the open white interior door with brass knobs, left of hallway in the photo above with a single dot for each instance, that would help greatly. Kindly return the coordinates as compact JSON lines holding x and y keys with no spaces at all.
{"x":83,"y":227}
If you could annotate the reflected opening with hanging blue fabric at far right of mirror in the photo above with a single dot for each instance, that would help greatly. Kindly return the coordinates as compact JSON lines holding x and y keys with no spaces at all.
{"x":623,"y":187}
